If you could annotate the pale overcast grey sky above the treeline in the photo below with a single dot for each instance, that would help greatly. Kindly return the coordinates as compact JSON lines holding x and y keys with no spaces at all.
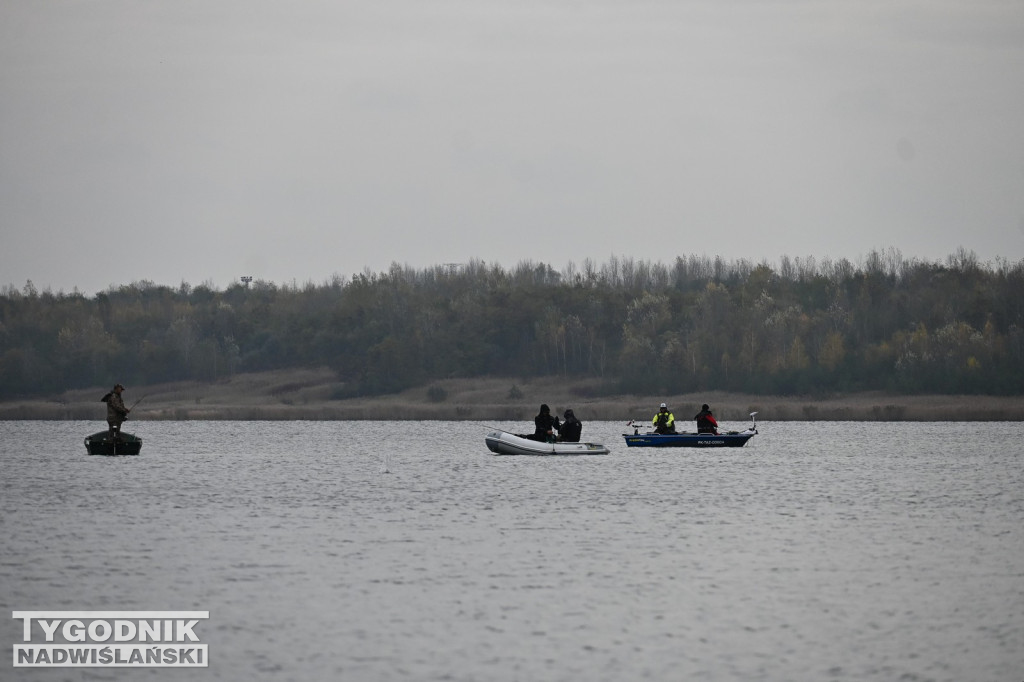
{"x":200,"y":141}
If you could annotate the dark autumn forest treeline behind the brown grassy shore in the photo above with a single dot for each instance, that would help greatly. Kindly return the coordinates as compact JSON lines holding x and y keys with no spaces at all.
{"x":801,"y":327}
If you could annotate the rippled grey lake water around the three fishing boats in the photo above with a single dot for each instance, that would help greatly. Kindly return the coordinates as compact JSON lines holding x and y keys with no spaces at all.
{"x":359,"y":551}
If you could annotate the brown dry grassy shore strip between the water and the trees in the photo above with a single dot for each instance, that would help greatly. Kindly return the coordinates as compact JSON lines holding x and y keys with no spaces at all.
{"x":313,"y":395}
